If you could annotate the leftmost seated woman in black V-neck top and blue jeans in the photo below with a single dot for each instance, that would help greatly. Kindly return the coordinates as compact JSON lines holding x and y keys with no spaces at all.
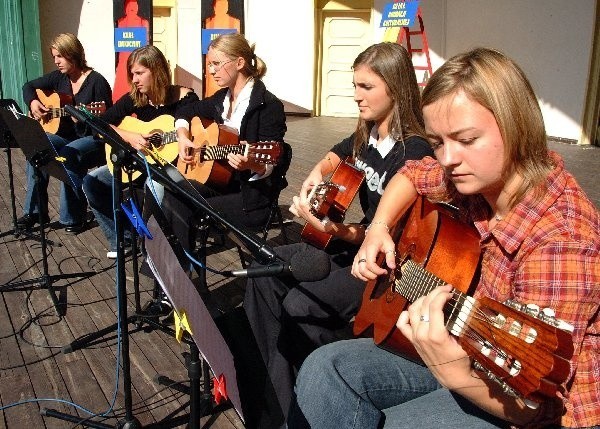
{"x":72,"y":141}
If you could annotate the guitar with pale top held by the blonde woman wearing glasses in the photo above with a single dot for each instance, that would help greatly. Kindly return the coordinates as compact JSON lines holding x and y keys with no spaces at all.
{"x":216,"y":141}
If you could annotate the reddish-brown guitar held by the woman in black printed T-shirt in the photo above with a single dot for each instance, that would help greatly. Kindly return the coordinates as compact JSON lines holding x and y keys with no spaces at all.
{"x":330,"y":199}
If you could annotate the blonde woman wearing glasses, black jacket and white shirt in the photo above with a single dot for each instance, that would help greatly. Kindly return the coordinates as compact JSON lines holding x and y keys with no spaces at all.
{"x":245,"y":106}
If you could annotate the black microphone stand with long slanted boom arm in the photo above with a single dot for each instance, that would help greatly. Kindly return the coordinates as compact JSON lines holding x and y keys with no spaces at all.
{"x":168,"y":176}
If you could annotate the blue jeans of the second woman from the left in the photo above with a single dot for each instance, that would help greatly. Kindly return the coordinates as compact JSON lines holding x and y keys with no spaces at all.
{"x":98,"y":188}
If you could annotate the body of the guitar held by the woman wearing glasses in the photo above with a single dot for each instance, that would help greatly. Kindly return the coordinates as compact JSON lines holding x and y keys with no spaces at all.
{"x":214,"y":173}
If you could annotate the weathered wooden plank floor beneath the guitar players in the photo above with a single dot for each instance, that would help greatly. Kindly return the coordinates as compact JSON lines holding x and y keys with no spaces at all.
{"x":34,"y":370}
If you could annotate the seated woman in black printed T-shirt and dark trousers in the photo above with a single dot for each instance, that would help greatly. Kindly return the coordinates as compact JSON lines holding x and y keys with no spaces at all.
{"x":290,"y":318}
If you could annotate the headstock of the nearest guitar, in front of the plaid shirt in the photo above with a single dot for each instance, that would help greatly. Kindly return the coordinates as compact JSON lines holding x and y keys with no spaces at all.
{"x":526,"y":350}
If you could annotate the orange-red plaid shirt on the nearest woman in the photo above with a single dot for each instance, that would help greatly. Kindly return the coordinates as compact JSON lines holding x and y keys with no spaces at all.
{"x":545,"y":251}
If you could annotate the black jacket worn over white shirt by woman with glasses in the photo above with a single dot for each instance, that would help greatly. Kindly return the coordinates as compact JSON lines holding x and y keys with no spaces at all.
{"x":264,"y":121}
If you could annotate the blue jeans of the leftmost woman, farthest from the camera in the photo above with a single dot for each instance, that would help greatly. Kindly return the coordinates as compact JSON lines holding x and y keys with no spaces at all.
{"x":79,"y":155}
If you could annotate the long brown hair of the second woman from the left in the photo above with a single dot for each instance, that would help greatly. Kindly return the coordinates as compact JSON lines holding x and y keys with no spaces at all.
{"x":152,"y":58}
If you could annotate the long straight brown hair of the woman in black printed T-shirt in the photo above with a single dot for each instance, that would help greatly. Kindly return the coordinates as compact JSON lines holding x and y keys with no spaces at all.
{"x":391,"y":62}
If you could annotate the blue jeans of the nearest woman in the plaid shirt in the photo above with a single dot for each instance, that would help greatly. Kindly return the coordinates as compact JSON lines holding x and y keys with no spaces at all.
{"x":355,"y":384}
